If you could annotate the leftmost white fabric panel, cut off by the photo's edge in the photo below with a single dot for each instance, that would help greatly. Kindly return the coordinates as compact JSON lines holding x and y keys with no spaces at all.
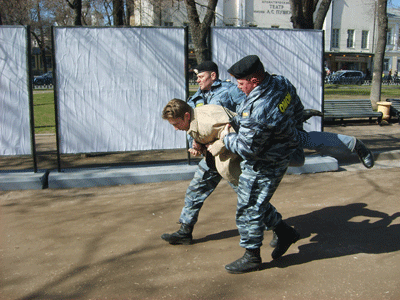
{"x":15,"y":134}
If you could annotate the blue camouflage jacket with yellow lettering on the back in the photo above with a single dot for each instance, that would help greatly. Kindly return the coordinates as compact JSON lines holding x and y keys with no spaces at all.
{"x":269,"y":119}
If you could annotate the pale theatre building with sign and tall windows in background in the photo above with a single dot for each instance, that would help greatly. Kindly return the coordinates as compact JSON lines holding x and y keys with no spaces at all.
{"x":350,"y":27}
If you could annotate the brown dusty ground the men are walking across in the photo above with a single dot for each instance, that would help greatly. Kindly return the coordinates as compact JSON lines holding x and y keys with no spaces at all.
{"x":104,"y":242}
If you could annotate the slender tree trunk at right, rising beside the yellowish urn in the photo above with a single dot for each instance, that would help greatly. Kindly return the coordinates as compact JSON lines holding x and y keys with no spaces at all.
{"x":379,"y":52}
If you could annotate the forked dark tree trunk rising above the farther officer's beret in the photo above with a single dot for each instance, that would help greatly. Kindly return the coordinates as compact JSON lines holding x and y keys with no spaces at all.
{"x":198,"y":29}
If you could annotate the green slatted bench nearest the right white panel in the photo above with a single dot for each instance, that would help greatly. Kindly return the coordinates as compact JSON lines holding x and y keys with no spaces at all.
{"x":350,"y":108}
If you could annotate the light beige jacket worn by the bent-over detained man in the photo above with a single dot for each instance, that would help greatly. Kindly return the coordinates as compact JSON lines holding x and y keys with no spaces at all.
{"x":206,"y":124}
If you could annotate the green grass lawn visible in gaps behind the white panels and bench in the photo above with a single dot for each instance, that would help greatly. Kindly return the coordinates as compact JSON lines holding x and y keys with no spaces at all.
{"x":45,"y":117}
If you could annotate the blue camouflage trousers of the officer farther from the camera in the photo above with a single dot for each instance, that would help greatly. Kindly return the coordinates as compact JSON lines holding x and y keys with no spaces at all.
{"x":204,"y":182}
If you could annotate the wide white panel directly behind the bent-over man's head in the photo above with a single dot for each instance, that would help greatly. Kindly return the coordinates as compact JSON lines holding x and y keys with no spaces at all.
{"x":112,"y":84}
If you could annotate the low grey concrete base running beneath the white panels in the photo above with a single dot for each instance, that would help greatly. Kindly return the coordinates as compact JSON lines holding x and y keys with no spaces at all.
{"x":78,"y":178}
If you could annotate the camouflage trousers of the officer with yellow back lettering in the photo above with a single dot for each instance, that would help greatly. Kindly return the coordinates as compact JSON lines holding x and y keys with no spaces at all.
{"x":254,"y":212}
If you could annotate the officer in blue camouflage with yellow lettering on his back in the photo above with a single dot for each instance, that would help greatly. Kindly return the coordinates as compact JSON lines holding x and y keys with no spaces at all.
{"x":270,"y":119}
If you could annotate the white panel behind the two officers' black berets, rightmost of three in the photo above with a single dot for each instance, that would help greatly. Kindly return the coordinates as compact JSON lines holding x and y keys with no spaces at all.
{"x":295,"y":54}
